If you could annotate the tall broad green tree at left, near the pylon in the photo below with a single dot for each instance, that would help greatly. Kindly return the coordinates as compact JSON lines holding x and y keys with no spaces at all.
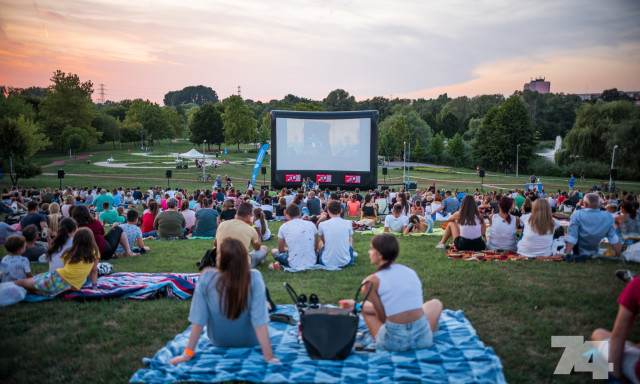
{"x":68,"y":102}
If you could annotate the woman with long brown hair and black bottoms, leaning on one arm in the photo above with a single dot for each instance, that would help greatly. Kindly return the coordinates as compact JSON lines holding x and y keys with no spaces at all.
{"x":466,"y":227}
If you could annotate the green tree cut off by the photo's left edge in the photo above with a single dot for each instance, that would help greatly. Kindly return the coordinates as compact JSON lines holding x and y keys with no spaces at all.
{"x":20,"y":139}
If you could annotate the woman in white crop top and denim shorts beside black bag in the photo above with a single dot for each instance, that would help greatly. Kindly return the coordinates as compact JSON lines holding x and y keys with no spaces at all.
{"x":394,"y":312}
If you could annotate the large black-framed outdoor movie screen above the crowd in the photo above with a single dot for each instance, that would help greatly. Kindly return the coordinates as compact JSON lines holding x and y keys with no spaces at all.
{"x":328,"y":146}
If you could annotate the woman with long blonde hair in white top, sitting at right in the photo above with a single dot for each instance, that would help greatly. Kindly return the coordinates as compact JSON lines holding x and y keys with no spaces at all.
{"x":537,"y":235}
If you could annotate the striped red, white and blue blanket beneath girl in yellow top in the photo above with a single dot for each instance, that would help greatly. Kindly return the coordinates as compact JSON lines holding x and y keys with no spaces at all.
{"x":133,"y":285}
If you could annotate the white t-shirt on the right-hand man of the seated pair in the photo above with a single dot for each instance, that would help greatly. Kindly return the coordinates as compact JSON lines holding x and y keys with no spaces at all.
{"x":336,"y":233}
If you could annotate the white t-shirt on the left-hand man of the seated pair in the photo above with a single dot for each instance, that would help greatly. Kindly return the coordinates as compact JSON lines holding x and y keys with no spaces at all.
{"x":300,"y":238}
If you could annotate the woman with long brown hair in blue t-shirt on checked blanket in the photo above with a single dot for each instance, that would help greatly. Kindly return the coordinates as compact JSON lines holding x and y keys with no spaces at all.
{"x":231,"y":301}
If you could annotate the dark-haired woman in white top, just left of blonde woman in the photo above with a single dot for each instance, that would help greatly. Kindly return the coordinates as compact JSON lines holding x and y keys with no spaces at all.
{"x":503,"y":233}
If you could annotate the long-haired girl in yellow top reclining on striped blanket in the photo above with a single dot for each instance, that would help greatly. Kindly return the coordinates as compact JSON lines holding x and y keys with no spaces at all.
{"x":80,"y":262}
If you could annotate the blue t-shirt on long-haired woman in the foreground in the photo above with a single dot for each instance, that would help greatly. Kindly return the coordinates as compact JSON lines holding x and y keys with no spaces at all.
{"x":223,"y":332}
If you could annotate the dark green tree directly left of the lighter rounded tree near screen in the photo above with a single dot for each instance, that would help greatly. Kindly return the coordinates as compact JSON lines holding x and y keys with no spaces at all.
{"x":206,"y":124}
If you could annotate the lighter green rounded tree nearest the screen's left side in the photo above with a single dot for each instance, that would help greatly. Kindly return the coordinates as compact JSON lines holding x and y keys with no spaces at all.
{"x":238,"y":123}
